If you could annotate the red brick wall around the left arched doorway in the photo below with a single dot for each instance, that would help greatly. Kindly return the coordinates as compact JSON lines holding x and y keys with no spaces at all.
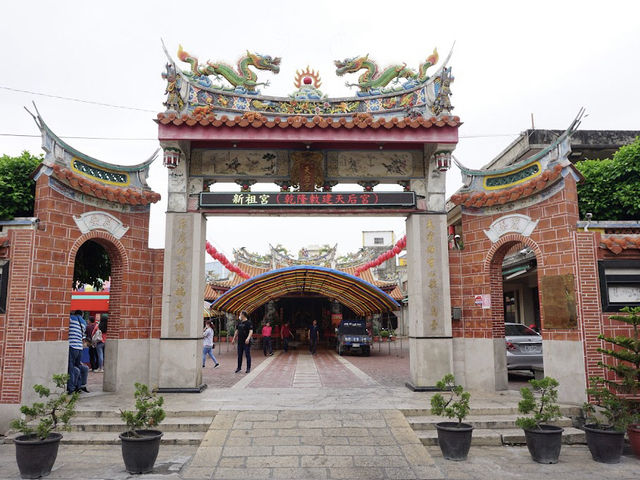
{"x":42,"y":263}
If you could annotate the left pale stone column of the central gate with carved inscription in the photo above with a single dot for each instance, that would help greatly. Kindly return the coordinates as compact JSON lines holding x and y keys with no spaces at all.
{"x":180,"y":356}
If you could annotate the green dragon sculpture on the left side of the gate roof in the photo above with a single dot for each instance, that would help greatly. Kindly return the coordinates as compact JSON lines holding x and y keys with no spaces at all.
{"x":242,"y":80}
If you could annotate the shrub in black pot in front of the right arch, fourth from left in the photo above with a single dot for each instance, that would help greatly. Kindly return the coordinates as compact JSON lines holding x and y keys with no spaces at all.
{"x":543,"y":441}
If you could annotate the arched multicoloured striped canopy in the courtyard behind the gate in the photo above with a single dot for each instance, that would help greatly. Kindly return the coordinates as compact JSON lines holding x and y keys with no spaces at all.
{"x":361,"y":297}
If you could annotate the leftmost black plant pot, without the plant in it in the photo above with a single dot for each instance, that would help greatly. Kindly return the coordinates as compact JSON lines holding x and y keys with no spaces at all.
{"x":36,"y":457}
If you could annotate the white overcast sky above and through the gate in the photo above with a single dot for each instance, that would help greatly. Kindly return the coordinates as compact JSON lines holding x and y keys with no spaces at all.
{"x":511,"y":60}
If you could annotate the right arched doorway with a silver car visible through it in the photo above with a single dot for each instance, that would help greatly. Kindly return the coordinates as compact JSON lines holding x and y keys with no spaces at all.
{"x":515,"y":307}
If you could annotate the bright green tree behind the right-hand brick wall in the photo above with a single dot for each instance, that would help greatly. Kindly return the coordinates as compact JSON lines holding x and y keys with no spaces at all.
{"x":611,"y":186}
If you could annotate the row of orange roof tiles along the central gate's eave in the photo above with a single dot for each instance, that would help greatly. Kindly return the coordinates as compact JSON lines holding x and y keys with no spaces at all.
{"x":258,"y":120}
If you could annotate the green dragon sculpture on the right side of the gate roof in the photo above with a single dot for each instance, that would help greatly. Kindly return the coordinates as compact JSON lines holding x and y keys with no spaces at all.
{"x":372,"y":81}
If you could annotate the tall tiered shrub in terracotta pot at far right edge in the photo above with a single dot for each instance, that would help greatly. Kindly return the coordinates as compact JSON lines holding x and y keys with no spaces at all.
{"x":625,"y":368}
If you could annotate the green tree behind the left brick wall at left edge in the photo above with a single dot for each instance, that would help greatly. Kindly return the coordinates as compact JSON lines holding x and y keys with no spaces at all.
{"x":17,"y":189}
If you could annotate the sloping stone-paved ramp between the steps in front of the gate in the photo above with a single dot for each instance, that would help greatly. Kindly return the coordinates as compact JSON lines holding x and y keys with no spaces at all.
{"x":313,"y":444}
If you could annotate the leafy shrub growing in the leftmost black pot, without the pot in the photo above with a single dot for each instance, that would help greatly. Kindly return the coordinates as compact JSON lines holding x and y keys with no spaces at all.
{"x":42,"y":418}
